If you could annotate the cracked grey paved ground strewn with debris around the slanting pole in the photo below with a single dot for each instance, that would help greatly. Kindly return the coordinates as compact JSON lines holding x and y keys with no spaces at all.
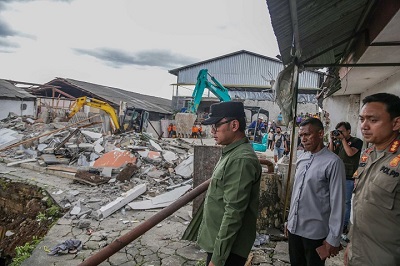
{"x":159,"y":246}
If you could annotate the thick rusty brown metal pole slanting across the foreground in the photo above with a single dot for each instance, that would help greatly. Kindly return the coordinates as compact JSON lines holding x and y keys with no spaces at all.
{"x":124,"y":240}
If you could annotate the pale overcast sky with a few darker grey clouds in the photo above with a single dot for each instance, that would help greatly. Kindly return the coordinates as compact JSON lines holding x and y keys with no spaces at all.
{"x":128,"y":44}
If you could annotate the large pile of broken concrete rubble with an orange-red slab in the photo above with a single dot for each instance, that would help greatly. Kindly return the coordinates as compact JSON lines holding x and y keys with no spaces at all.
{"x":125,"y":167}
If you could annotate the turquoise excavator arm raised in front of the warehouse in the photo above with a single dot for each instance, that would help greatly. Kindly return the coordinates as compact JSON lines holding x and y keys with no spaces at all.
{"x":202,"y":83}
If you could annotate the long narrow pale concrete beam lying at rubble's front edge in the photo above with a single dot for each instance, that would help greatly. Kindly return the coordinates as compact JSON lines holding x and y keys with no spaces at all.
{"x":120,"y":202}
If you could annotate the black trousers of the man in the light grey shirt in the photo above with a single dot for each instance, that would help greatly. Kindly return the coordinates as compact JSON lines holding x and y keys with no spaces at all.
{"x":302,"y":251}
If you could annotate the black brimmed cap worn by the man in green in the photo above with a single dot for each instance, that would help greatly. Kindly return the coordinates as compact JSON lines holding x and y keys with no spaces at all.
{"x":224,"y":109}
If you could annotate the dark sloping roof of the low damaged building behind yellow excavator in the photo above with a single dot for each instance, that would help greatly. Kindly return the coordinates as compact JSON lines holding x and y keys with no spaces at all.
{"x":115,"y":95}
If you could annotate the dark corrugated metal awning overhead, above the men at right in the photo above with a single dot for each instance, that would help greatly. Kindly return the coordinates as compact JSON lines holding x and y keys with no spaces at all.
{"x":322,"y":24}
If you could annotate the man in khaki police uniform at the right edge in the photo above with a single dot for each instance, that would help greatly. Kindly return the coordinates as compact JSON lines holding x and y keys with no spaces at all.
{"x":375,"y":231}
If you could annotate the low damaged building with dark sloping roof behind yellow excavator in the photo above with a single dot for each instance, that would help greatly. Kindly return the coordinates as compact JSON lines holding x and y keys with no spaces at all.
{"x":58,"y":95}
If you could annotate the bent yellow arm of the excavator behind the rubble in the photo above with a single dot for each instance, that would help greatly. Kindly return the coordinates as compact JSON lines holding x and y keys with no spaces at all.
{"x":81,"y":101}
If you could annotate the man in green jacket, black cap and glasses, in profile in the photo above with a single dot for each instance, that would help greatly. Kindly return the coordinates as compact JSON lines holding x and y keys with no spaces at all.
{"x":228,"y":228}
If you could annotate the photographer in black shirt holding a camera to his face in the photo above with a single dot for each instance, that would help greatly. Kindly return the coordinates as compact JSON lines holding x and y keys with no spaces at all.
{"x":348,"y":148}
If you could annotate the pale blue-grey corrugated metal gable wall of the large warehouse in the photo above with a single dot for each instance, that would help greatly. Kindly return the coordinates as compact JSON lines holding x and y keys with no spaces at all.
{"x":242,"y":70}
